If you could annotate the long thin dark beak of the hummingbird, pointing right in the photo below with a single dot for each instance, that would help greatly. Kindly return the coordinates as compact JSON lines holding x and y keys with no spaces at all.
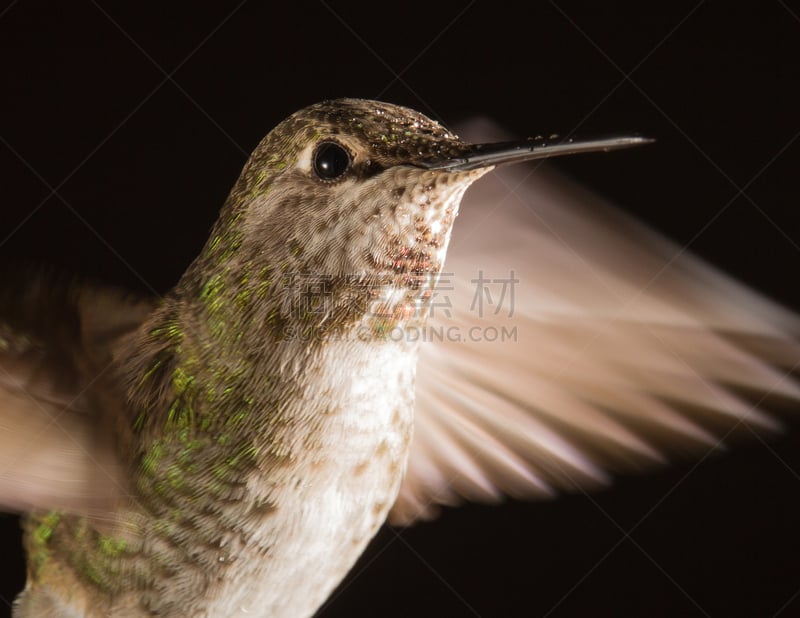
{"x":475,"y":156}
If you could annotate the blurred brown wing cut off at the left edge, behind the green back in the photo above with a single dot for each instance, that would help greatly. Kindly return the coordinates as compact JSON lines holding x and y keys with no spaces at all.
{"x":55,"y":447}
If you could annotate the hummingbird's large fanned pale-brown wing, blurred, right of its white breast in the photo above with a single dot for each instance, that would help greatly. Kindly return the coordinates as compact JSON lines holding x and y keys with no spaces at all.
{"x":579,"y":342}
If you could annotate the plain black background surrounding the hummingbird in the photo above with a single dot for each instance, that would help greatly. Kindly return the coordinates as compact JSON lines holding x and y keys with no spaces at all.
{"x":141,"y":118}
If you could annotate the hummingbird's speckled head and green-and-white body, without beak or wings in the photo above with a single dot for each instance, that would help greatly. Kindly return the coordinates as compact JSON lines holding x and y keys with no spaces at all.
{"x":267,"y":415}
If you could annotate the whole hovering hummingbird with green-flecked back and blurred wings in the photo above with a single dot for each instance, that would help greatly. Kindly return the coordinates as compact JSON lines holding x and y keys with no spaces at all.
{"x":321,"y":368}
